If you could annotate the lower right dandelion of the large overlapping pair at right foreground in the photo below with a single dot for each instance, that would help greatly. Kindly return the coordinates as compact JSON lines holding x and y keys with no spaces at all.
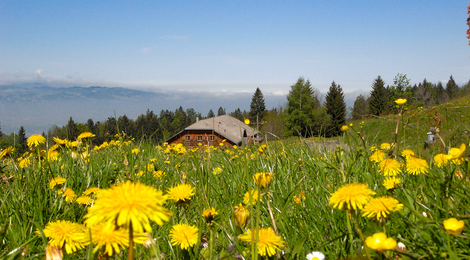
{"x":380,"y":207}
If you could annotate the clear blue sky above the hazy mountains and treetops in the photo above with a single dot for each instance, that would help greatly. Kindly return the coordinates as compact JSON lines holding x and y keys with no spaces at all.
{"x":232,"y":46}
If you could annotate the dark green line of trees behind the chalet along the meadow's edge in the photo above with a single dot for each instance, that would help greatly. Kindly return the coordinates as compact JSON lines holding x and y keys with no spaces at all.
{"x":305,"y":113}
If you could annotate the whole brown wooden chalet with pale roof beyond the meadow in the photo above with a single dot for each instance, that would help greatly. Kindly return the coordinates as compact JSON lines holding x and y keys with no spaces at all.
{"x":212,"y":131}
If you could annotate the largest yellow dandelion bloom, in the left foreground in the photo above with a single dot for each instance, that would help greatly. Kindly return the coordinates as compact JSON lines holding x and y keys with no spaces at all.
{"x":129,"y":202}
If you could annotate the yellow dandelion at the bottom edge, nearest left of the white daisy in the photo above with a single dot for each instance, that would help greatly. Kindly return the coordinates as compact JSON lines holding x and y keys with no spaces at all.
{"x":268,"y":242}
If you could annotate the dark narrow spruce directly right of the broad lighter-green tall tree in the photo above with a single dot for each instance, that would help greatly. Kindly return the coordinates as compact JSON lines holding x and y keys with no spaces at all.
{"x":336,"y":108}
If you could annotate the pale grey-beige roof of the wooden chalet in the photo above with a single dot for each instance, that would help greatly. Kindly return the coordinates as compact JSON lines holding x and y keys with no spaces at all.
{"x":228,"y":127}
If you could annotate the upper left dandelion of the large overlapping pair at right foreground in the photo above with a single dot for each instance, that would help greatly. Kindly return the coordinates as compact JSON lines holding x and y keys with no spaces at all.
{"x":354,"y":195}
